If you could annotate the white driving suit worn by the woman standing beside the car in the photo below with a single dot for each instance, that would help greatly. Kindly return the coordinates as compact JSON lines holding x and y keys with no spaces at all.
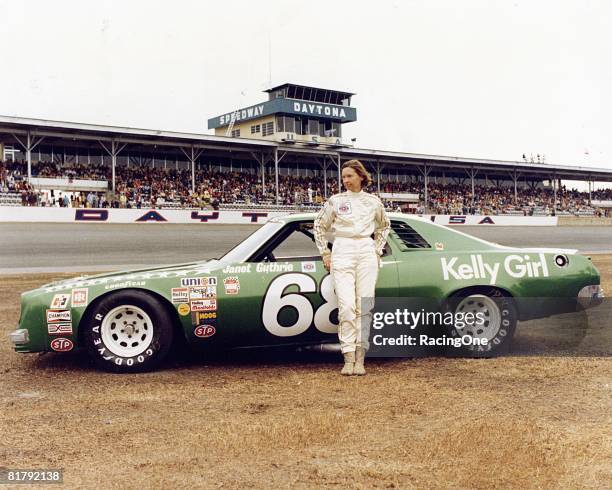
{"x":352,"y":218}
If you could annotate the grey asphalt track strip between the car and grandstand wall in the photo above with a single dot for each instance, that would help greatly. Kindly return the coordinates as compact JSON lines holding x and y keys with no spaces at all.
{"x":51,"y":247}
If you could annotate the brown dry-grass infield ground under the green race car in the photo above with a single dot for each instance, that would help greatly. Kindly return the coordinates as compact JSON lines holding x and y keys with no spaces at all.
{"x":540,"y":417}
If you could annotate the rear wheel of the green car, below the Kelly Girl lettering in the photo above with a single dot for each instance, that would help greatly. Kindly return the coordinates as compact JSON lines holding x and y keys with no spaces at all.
{"x":499,"y":319}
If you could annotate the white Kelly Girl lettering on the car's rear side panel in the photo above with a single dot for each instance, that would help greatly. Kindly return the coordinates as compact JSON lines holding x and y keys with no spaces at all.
{"x":475,"y":267}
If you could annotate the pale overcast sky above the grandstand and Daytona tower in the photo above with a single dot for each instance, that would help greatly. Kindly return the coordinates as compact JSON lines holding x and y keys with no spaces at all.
{"x":472,"y":78}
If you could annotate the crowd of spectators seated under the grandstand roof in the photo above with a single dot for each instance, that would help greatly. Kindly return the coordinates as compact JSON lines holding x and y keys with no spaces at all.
{"x":145,"y":186}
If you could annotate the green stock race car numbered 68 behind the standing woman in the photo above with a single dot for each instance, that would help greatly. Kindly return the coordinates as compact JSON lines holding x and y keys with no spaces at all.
{"x":272,"y":290}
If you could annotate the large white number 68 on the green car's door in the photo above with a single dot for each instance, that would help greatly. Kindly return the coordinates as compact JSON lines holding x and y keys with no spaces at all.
{"x":274,"y":301}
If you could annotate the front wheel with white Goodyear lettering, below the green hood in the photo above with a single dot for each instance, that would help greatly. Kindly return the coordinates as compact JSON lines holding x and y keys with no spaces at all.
{"x":120,"y":338}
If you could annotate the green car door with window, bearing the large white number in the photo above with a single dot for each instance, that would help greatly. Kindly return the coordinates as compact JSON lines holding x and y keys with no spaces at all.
{"x":286,"y":295}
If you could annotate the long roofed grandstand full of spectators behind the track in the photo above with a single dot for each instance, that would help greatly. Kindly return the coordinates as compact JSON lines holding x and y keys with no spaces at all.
{"x":58,"y":163}
